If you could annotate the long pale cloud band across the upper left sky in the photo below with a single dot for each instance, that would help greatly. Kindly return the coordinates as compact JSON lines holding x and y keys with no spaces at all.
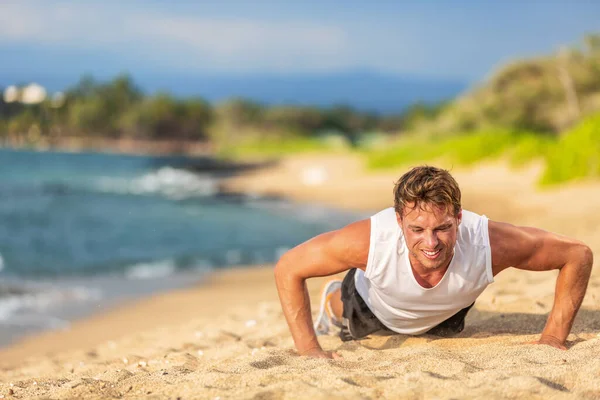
{"x":174,"y":40}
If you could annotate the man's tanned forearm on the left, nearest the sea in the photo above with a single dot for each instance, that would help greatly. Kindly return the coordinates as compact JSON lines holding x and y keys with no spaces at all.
{"x":295,"y":303}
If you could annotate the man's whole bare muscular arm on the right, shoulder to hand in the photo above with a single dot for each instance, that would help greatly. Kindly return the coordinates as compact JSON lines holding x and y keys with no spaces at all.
{"x":537,"y":250}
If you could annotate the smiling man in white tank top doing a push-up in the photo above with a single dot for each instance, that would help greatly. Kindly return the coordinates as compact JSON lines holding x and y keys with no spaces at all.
{"x":419,"y":266}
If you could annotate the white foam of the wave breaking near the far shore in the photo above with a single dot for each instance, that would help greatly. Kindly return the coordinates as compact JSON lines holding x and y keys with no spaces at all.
{"x":171,"y":182}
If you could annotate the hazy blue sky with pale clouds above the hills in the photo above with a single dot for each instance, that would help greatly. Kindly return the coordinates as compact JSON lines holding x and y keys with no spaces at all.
{"x":462,"y":40}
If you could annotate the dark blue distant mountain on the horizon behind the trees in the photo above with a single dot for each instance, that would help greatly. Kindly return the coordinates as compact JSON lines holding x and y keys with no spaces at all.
{"x":369,"y":91}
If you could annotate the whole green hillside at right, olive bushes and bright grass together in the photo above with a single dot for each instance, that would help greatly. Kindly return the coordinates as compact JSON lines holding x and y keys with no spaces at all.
{"x":546,"y":108}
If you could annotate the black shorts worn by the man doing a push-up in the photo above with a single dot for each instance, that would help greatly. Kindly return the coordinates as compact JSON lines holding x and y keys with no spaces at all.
{"x":360,"y":322}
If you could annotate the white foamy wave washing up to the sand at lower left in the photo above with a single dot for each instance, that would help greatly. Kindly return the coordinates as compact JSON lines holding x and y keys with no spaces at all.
{"x":29,"y":304}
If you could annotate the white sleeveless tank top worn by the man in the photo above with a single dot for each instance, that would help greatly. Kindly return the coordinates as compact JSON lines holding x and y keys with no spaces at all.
{"x":391,"y":291}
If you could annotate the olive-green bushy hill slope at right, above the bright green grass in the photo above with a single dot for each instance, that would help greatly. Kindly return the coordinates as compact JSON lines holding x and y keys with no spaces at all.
{"x":545,"y":95}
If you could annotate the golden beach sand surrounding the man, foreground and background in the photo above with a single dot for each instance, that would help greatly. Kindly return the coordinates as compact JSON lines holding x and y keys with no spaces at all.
{"x":228,"y":338}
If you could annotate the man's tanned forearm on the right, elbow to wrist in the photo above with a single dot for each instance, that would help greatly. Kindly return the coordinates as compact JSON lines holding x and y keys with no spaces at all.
{"x":571,"y":286}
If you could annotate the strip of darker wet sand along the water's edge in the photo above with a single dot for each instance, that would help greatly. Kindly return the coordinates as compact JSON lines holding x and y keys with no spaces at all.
{"x":124,"y":317}
